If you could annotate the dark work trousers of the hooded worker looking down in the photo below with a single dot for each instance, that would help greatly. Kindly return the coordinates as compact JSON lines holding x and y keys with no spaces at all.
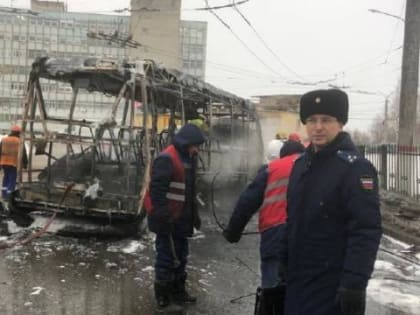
{"x":165,"y":267}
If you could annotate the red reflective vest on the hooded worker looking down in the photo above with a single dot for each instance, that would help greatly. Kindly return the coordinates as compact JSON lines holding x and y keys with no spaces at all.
{"x":176,"y":193}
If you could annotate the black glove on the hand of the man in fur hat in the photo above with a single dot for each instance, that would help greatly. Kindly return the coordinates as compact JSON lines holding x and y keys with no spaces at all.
{"x":351,"y":301}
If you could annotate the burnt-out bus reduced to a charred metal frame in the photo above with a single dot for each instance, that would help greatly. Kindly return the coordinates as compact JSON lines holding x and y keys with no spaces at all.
{"x":89,"y":162}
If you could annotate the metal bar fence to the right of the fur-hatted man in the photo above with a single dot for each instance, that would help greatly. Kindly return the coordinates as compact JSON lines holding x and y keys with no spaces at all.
{"x":398,"y":167}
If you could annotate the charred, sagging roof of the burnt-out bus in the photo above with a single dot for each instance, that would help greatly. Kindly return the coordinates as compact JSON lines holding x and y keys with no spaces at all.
{"x":109,"y":75}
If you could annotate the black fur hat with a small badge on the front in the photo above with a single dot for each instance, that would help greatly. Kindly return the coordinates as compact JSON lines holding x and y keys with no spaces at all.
{"x":331,"y":102}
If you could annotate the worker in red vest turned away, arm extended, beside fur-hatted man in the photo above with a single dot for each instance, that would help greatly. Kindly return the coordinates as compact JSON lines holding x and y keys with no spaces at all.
{"x":266,"y":194}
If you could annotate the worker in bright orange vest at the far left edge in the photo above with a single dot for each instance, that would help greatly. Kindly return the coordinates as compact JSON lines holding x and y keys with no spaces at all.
{"x":9,"y":150}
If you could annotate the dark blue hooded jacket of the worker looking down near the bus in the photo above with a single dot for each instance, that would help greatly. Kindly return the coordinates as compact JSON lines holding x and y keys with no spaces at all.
{"x":161,"y":221}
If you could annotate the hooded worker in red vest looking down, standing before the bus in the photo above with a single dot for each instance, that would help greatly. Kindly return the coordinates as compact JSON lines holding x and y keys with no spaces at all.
{"x":172,"y":215}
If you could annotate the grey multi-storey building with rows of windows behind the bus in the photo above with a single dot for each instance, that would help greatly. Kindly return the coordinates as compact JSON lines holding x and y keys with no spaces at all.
{"x":27,"y":34}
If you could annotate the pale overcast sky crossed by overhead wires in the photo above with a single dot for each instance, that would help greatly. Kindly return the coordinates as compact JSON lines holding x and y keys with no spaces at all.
{"x":310,"y":41}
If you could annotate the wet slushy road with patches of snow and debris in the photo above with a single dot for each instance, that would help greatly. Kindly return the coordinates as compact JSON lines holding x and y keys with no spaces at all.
{"x":55,"y":275}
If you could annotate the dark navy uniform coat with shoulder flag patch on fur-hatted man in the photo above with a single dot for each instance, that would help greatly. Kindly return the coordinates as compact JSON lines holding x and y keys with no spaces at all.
{"x":333,"y":227}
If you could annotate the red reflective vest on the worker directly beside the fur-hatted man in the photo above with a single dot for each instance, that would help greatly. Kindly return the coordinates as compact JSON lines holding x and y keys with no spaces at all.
{"x":273,"y":210}
